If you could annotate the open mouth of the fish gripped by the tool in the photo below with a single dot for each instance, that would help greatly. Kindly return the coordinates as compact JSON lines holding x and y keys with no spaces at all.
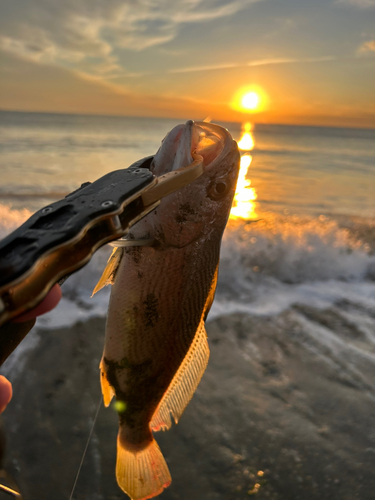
{"x":208,"y":140}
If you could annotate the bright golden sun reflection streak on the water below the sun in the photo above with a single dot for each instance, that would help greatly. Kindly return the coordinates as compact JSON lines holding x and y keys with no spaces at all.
{"x":244,"y":199}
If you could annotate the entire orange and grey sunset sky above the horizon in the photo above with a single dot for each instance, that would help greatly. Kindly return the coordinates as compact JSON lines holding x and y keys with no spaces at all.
{"x":311,"y":61}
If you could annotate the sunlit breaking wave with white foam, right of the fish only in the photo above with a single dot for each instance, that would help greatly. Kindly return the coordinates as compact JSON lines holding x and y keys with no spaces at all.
{"x":270,"y":265}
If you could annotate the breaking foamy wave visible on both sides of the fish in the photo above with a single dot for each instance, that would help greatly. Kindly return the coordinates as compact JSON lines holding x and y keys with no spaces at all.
{"x":267,"y":267}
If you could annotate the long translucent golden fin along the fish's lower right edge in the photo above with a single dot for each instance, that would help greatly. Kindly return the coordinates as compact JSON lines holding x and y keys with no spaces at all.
{"x":184,"y":383}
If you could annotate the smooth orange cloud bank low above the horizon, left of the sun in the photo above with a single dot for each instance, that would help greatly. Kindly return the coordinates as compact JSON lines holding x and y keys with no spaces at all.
{"x":73,"y":92}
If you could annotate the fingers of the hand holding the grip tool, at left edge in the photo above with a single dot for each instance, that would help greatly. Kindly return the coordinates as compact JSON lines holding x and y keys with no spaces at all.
{"x":19,"y":327}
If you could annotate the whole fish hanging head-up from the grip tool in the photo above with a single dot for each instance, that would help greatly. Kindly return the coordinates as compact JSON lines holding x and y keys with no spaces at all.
{"x":156,"y":347}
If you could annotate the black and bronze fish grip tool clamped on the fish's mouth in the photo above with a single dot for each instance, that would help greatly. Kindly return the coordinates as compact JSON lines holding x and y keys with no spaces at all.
{"x":62,"y":237}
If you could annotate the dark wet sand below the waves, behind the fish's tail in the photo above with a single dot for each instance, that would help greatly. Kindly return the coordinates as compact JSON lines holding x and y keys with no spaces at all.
{"x":274,"y":416}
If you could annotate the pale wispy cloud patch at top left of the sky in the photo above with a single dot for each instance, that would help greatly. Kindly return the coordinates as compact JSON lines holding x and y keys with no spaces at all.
{"x":75,"y":34}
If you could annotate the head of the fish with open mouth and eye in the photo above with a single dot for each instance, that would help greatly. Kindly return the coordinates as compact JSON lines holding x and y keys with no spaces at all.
{"x":200,"y":209}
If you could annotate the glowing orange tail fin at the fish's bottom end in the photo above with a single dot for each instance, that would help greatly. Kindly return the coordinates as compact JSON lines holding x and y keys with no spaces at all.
{"x":142,"y":474}
